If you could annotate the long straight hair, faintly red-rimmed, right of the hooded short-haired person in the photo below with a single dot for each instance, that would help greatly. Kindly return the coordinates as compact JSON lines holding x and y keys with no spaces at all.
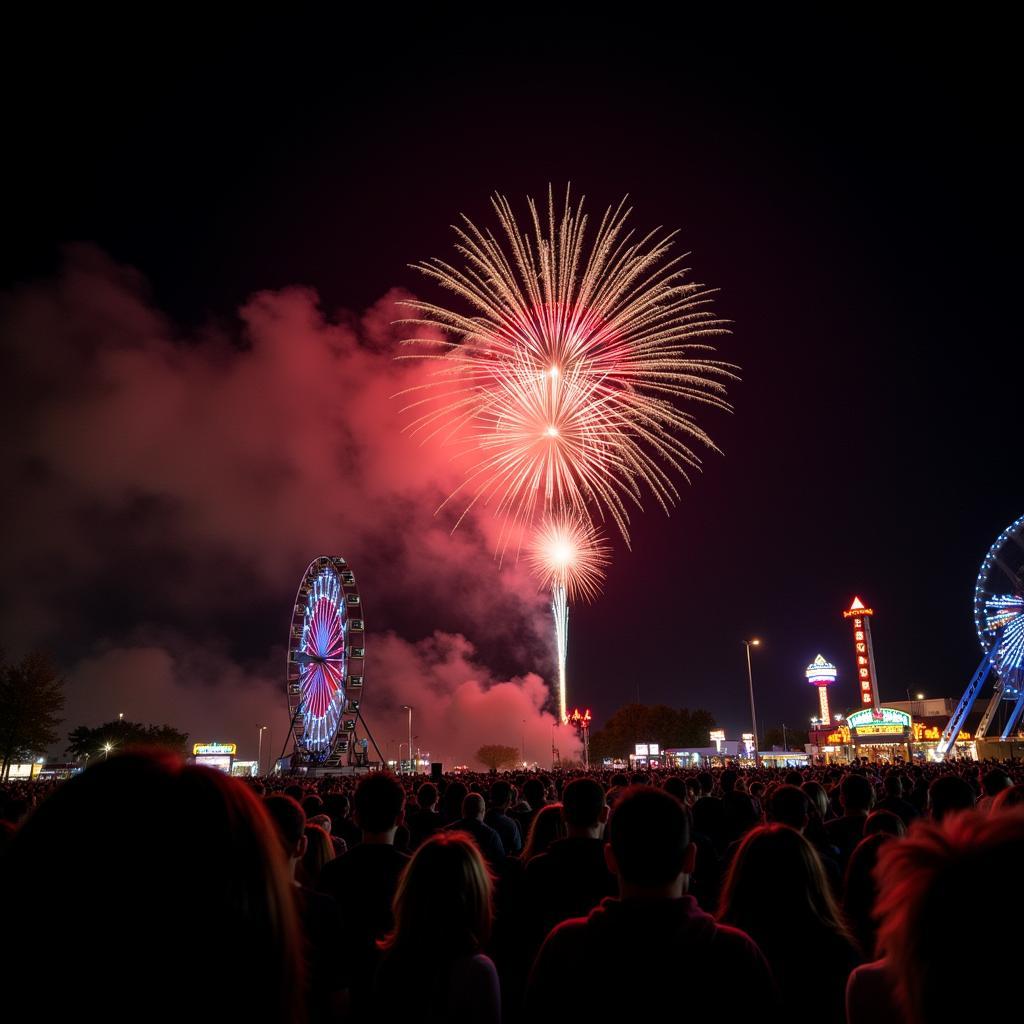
{"x":777,"y":888}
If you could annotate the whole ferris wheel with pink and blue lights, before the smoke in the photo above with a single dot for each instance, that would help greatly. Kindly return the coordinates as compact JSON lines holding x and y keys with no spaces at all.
{"x":326,"y":659}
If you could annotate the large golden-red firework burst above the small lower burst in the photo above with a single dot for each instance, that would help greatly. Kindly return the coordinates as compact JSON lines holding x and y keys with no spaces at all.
{"x":563,"y":386}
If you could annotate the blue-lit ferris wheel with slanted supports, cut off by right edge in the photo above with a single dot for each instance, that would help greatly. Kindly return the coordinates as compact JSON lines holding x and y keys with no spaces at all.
{"x":999,"y":620}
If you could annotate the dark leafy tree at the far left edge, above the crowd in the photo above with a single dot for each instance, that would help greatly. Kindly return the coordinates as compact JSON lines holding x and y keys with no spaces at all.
{"x":31,"y":701}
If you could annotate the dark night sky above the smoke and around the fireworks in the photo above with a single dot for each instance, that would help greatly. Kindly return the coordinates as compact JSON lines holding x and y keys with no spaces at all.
{"x":851,"y":193}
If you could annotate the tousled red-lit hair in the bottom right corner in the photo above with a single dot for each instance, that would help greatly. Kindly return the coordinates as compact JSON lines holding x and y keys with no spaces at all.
{"x":936,"y":868}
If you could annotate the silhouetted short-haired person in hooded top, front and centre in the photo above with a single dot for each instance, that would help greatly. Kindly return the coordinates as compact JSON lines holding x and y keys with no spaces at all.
{"x":666,"y":952}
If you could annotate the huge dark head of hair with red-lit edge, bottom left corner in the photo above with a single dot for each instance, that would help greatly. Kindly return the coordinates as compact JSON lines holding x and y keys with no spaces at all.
{"x":211,"y":854}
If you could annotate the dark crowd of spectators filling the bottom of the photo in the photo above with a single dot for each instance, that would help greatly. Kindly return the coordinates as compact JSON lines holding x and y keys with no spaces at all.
{"x":863,"y":894}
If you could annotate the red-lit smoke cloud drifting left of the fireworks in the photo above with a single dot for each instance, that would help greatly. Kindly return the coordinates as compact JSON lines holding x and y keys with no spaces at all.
{"x":165,"y":489}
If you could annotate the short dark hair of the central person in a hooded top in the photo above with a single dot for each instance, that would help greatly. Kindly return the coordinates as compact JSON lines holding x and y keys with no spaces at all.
{"x":650,"y":833}
